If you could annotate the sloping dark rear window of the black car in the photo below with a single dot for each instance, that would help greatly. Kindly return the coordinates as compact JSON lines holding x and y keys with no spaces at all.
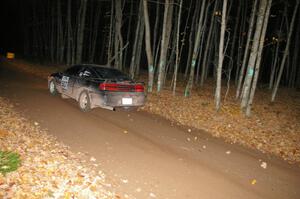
{"x":110,"y":73}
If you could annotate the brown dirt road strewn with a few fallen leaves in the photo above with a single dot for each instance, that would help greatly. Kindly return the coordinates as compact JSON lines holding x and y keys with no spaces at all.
{"x":149,"y":157}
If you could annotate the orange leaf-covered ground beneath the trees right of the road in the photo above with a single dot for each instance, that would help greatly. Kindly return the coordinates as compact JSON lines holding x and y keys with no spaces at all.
{"x":273,"y":128}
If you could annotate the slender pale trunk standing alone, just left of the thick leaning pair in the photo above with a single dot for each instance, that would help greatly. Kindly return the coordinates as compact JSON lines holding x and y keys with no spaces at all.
{"x":221,"y":57}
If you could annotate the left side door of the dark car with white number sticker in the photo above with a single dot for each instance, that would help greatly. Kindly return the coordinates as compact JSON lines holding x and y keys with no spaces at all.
{"x":68,"y":80}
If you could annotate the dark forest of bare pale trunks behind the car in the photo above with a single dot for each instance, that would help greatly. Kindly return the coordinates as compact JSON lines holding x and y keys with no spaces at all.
{"x":242,"y":42}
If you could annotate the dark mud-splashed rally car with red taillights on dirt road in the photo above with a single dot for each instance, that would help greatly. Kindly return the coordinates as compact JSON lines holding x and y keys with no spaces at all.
{"x":97,"y":86}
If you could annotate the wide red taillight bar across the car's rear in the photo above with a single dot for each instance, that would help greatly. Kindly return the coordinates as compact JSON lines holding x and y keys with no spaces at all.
{"x":121,"y":87}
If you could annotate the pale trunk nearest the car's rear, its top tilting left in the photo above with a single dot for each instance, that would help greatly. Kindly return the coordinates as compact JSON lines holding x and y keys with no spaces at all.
{"x":148,"y":47}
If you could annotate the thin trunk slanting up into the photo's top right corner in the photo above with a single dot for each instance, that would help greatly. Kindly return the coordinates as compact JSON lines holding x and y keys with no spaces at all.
{"x":286,"y":51}
